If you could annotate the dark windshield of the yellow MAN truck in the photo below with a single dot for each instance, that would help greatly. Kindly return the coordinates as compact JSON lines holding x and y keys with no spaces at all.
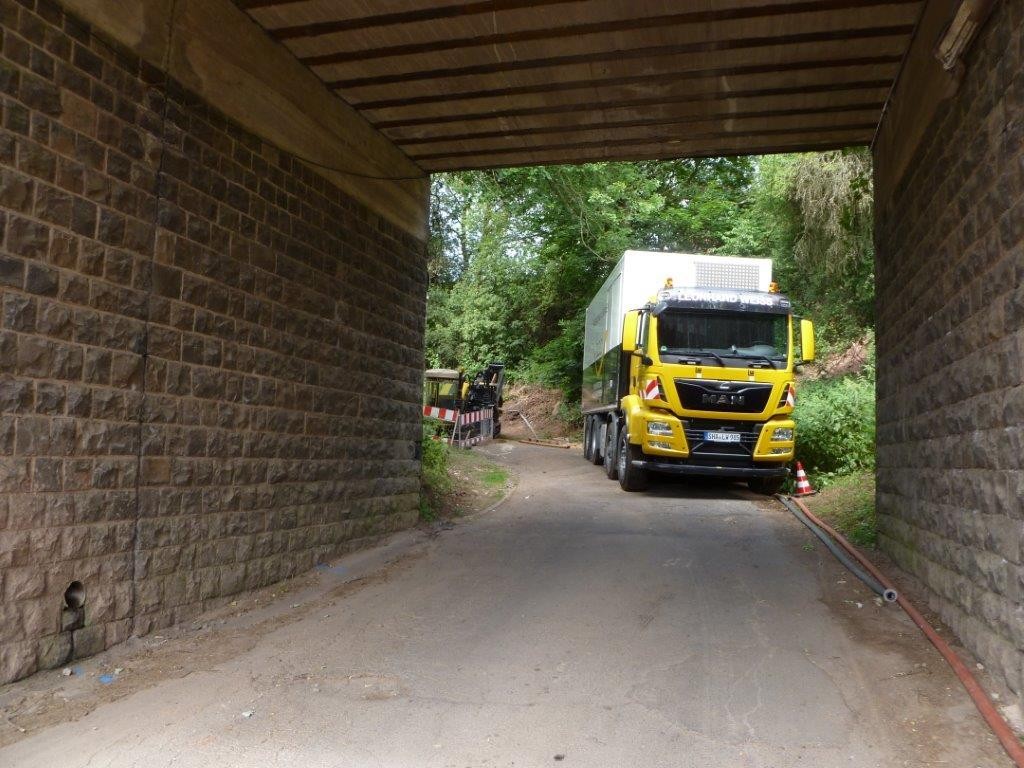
{"x":731,"y":336}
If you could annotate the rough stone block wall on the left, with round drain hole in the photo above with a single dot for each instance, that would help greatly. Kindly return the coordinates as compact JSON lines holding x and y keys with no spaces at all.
{"x":211,"y":358}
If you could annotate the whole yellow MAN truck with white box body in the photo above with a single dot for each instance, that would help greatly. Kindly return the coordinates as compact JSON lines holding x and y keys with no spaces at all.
{"x":690,"y":364}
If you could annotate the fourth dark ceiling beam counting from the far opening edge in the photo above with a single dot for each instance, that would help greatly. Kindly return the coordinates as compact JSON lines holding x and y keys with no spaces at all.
{"x":571,"y":86}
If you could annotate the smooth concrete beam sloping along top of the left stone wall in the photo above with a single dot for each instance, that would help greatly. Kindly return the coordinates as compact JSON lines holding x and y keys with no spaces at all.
{"x":218,"y":52}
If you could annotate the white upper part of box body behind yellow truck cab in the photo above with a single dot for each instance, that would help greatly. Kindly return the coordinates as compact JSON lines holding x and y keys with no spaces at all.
{"x":641,"y":275}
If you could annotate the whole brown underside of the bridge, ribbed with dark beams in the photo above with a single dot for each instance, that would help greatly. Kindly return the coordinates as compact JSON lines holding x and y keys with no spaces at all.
{"x":491,"y":83}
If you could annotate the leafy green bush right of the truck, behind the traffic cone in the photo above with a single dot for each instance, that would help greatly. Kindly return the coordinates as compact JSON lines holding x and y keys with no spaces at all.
{"x":836,"y":425}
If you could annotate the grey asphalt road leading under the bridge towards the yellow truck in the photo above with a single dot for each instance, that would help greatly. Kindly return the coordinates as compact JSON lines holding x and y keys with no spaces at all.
{"x":575,"y":625}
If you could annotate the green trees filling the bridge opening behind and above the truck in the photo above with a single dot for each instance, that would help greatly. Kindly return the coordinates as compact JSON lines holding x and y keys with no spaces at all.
{"x":516,"y":255}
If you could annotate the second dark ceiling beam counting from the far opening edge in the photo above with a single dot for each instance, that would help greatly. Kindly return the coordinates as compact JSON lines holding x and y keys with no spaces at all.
{"x":875,"y":105}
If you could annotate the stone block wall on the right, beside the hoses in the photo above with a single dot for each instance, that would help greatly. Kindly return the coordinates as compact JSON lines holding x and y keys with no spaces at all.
{"x":951,"y":347}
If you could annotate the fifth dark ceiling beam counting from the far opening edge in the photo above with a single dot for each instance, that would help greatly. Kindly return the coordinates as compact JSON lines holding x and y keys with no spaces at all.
{"x":703,"y":47}
